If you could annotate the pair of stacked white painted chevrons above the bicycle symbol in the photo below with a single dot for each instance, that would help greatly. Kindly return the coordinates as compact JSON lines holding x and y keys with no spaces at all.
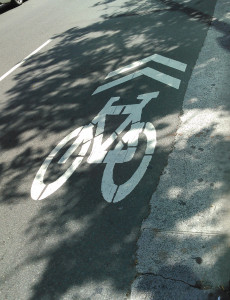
{"x":149,"y":72}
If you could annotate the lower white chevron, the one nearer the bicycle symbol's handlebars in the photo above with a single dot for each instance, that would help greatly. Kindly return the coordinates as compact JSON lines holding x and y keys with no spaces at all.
{"x":149,"y":72}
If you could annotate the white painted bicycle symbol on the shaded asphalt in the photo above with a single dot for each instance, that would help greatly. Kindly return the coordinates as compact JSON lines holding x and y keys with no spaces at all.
{"x":100,"y":154}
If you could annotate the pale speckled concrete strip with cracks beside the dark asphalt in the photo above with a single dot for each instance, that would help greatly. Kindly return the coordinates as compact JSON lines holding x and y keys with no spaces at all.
{"x":183,"y":251}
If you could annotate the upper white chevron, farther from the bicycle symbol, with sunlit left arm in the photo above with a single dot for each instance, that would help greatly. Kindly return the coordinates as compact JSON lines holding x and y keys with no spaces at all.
{"x":156,"y":58}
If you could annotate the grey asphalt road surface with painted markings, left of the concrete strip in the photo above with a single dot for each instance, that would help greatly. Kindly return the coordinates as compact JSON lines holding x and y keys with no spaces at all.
{"x":66,"y":233}
